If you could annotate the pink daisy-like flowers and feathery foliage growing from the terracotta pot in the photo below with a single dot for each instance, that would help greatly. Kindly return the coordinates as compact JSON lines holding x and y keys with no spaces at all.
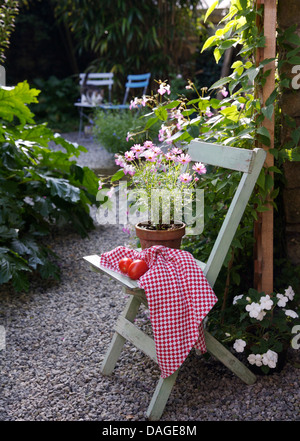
{"x":153,"y":170}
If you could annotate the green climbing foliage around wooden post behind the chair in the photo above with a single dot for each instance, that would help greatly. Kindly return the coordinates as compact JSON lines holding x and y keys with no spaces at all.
{"x":230,"y":112}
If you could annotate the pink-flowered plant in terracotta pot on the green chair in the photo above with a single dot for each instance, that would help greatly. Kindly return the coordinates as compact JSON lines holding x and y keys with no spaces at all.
{"x":155,"y":172}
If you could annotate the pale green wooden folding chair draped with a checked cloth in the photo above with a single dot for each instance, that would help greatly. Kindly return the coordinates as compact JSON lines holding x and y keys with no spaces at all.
{"x":249,"y":163}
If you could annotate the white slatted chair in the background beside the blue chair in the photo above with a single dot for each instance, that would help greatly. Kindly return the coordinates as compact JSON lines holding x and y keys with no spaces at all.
{"x":92,"y":92}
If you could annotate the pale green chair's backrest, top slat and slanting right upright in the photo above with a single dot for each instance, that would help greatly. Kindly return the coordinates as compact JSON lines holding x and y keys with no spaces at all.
{"x":250,"y":163}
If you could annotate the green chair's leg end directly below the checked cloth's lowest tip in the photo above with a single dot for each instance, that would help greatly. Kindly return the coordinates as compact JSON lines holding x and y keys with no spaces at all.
{"x":160,"y":397}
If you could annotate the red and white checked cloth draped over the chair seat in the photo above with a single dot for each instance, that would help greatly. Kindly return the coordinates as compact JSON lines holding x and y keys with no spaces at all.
{"x":179,"y":297}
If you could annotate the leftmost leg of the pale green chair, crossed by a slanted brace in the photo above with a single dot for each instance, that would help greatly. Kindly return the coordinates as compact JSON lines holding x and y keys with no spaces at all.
{"x":118,"y":341}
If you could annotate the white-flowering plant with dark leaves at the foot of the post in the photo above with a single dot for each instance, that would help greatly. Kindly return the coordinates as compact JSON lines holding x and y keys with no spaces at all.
{"x":265,"y":327}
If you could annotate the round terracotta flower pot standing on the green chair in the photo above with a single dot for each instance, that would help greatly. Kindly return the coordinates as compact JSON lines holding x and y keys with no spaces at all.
{"x":170,"y":238}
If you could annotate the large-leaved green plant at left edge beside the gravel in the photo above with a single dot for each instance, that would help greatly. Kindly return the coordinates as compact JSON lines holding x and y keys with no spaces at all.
{"x":39,"y":188}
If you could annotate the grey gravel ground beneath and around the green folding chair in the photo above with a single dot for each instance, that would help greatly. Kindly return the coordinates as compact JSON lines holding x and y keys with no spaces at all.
{"x":57,"y":335}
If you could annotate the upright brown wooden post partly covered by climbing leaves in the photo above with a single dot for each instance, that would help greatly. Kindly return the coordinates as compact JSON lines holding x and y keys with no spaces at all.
{"x":263,"y":260}
